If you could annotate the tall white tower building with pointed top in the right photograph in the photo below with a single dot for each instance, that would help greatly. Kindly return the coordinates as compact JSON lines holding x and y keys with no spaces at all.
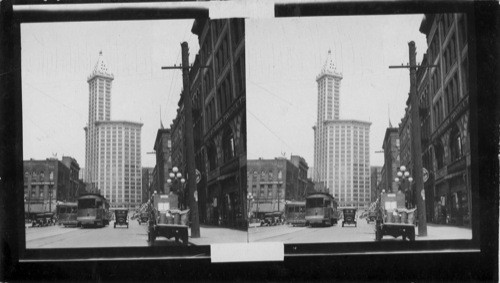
{"x":341,"y":147}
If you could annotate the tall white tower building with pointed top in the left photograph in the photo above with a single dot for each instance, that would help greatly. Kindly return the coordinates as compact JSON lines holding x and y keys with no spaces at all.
{"x":112,"y":148}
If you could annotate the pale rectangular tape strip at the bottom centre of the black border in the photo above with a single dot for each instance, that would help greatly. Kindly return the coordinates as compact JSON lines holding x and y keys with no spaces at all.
{"x":245,"y":252}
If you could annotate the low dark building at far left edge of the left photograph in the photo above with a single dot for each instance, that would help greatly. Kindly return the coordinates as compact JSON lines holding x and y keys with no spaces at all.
{"x":48,"y":181}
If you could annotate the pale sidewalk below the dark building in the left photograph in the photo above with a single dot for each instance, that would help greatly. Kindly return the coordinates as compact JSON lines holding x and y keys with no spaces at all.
{"x":217,"y":235}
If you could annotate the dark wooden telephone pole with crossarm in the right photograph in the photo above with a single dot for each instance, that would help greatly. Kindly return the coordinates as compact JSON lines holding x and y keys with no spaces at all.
{"x":416,"y":147}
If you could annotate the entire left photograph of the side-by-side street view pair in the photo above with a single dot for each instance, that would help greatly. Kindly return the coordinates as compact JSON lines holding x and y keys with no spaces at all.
{"x":114,"y":153}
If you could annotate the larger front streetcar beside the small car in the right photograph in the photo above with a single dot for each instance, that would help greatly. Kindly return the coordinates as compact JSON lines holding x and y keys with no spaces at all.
{"x":321,"y":209}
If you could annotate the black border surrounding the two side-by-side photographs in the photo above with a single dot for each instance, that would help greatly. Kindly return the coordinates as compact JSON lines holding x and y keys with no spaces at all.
{"x":448,"y":260}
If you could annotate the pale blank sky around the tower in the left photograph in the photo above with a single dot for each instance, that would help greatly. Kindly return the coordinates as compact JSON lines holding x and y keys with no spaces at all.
{"x":57,"y":58}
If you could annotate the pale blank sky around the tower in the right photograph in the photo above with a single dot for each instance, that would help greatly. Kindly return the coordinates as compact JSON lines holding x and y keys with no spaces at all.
{"x":284,"y":56}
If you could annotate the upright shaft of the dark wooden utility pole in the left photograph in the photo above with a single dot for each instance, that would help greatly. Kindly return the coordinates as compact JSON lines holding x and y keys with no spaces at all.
{"x":189,"y":142}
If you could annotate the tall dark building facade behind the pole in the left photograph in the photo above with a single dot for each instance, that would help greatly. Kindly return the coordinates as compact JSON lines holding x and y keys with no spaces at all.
{"x":219,"y":122}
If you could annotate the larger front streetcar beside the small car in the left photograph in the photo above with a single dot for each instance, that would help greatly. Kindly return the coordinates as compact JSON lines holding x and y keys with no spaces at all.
{"x":93,"y":210}
